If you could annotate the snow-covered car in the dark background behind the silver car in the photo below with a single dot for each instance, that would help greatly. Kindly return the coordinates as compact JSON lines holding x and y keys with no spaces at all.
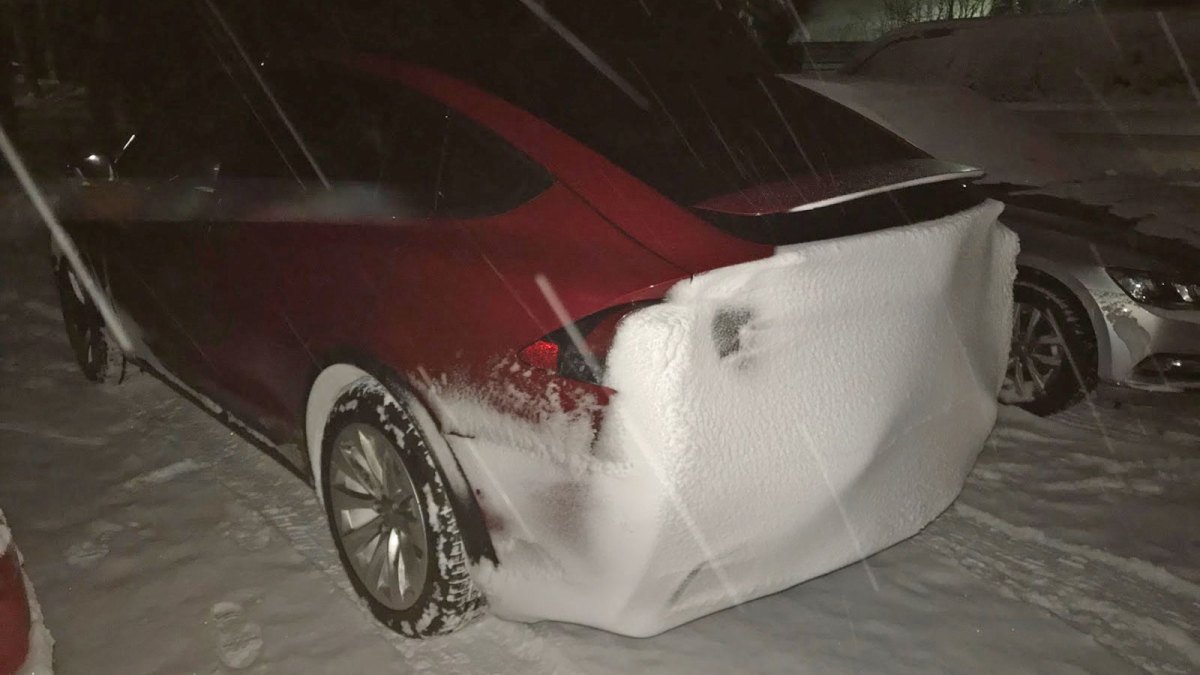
{"x":1117,"y":85}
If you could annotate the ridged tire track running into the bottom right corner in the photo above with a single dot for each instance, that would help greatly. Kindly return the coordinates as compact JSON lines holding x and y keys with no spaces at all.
{"x":1142,"y":612}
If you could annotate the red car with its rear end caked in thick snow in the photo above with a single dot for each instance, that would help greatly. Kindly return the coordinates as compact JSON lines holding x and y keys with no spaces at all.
{"x":598,"y":336}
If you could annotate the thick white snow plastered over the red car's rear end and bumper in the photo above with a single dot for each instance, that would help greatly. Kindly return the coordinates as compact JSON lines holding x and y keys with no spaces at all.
{"x":773,"y":421}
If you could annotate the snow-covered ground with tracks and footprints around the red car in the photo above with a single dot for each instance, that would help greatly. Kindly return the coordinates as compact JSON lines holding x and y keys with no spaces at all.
{"x":163,"y":543}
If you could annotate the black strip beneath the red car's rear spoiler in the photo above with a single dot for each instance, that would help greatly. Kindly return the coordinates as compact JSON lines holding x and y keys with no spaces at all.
{"x":872,"y":213}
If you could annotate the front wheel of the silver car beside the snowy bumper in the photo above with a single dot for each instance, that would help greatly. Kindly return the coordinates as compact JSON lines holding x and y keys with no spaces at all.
{"x":1078,"y":374}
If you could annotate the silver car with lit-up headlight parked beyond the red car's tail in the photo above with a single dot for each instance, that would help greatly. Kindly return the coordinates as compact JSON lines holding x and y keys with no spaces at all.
{"x":1096,"y":300}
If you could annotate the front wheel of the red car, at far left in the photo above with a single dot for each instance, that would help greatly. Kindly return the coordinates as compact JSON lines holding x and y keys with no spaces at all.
{"x":100,"y":359}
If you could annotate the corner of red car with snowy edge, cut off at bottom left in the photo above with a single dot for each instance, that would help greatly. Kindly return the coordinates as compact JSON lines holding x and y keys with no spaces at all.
{"x":25,"y":642}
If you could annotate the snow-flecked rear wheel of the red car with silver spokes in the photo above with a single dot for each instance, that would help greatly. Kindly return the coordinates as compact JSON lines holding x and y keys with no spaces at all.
{"x":443,"y":598}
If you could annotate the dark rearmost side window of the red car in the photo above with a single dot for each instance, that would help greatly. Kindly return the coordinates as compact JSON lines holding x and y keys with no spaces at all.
{"x":416,"y":154}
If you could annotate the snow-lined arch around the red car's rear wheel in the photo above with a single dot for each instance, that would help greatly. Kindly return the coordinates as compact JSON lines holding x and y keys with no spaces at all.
{"x":346,"y":369}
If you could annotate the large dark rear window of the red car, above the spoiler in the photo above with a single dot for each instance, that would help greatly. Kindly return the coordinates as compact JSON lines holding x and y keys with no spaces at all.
{"x":681,"y":98}
